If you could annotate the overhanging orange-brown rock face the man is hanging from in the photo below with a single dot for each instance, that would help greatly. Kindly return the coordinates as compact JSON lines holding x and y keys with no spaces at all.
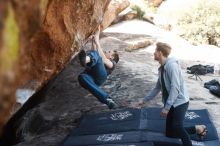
{"x":51,"y":33}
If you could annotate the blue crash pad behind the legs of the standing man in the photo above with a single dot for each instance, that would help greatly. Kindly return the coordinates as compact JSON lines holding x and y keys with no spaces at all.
{"x":155,"y":123}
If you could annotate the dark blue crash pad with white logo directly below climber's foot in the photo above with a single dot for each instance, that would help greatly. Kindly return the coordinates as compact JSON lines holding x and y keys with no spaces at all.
{"x":117,"y":121}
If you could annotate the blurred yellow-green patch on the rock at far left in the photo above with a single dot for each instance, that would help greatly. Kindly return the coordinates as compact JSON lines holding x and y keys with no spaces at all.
{"x":10,"y":42}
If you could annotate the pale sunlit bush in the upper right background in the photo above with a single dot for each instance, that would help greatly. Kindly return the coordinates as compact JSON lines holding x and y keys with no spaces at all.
{"x":201,"y":24}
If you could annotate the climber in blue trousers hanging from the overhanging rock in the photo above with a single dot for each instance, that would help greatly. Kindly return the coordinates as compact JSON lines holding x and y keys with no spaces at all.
{"x":98,"y":65}
